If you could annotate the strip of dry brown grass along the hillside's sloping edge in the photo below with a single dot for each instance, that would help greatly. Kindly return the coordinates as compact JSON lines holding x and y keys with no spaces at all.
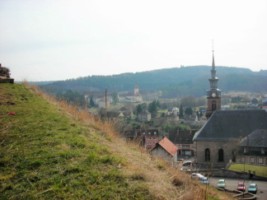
{"x":162,"y":179}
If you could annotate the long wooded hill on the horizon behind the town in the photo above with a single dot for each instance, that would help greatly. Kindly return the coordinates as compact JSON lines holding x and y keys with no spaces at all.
{"x":173,"y":82}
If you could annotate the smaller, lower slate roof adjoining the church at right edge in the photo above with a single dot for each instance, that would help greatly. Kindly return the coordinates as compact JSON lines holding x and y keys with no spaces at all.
{"x":257,"y":138}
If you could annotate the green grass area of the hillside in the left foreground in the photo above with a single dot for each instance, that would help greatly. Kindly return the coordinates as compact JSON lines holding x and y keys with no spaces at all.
{"x":44,"y":154}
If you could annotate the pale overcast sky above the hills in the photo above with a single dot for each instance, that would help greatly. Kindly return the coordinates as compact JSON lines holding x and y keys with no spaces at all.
{"x":62,"y":39}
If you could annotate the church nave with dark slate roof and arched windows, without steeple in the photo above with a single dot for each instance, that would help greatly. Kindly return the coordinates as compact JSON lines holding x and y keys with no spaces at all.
{"x":217,"y":141}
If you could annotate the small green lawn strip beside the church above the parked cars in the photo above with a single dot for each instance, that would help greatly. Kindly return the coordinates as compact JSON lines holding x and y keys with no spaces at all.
{"x":259,"y":170}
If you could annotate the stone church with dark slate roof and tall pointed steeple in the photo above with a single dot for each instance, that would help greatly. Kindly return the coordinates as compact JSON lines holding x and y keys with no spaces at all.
{"x":217,"y":142}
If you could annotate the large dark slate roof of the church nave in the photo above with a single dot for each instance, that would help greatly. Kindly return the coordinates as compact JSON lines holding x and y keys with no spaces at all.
{"x":231,"y":124}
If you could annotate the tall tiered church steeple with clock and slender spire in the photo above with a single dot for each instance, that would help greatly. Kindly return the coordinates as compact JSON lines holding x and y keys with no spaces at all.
{"x":213,"y":94}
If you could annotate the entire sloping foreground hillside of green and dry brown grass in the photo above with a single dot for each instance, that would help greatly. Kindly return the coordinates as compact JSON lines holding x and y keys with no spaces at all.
{"x":51,"y":150}
